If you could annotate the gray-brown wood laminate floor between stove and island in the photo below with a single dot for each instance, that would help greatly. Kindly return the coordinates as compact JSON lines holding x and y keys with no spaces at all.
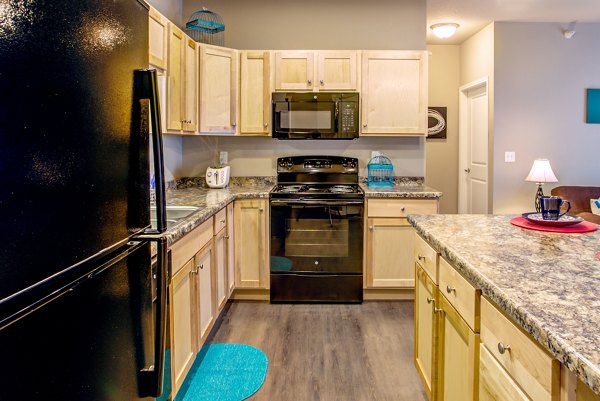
{"x":328,"y":352}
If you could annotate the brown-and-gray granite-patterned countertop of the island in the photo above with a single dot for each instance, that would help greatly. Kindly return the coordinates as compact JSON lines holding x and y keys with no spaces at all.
{"x":549,"y":283}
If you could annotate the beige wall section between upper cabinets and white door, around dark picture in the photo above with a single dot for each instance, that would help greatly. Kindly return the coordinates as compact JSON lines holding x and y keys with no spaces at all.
{"x":442,"y":154}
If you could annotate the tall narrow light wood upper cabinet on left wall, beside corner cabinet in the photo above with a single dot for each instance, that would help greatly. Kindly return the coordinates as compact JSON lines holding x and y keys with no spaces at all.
{"x":182,"y":92}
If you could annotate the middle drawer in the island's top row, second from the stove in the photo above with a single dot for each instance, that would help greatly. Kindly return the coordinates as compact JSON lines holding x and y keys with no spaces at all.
{"x":460,"y":293}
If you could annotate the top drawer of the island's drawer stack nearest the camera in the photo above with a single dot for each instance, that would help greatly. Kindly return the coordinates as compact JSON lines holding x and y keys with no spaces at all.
{"x":531,"y":367}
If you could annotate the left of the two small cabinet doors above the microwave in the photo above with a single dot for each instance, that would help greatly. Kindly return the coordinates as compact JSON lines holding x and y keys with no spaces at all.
{"x":294,"y":70}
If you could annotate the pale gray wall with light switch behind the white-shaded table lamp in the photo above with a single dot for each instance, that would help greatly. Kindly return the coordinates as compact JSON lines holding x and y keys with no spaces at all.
{"x":540,"y":82}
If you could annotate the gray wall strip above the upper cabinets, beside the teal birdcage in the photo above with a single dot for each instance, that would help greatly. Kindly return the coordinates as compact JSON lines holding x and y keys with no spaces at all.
{"x":318,"y":24}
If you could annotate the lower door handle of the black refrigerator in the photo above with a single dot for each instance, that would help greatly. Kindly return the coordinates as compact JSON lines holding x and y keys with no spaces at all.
{"x":151,"y":377}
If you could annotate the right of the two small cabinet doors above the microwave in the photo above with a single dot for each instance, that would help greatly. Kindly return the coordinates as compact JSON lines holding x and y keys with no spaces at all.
{"x":337,"y":70}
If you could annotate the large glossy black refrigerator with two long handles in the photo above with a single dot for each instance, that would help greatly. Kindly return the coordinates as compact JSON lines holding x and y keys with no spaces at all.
{"x":82,"y":313}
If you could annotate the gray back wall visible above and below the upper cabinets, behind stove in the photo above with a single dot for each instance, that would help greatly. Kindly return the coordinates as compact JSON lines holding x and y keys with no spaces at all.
{"x":310,"y":24}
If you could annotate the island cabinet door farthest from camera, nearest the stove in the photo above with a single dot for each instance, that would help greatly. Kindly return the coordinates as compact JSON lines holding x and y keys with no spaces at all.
{"x":425,"y":327}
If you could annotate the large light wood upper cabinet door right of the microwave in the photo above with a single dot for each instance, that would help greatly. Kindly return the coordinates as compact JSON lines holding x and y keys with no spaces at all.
{"x":394,"y":93}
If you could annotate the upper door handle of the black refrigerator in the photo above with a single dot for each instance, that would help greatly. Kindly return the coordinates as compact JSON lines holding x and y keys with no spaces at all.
{"x":149,"y":89}
